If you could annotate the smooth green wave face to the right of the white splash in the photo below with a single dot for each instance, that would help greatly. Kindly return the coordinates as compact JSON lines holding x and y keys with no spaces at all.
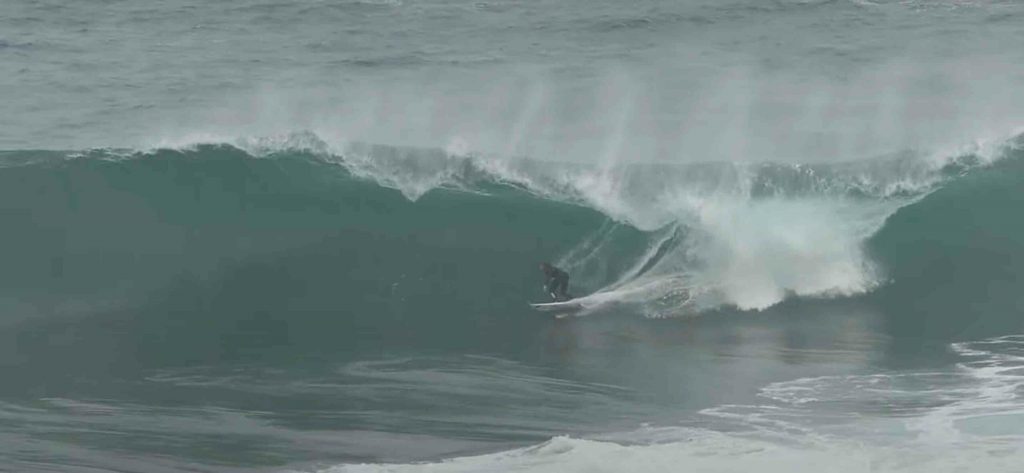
{"x":955,"y":259}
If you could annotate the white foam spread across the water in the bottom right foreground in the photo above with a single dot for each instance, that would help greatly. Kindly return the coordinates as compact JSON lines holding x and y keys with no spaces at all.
{"x":968,"y":419}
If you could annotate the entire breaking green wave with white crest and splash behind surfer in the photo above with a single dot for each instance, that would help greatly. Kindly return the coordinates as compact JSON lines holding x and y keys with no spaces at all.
{"x":215,"y":254}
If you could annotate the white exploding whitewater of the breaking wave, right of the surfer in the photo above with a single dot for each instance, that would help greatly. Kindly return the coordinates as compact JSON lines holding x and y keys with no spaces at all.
{"x":746,"y":250}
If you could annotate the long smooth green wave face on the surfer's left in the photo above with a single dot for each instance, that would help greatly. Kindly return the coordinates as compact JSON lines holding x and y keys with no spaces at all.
{"x":214,"y":255}
